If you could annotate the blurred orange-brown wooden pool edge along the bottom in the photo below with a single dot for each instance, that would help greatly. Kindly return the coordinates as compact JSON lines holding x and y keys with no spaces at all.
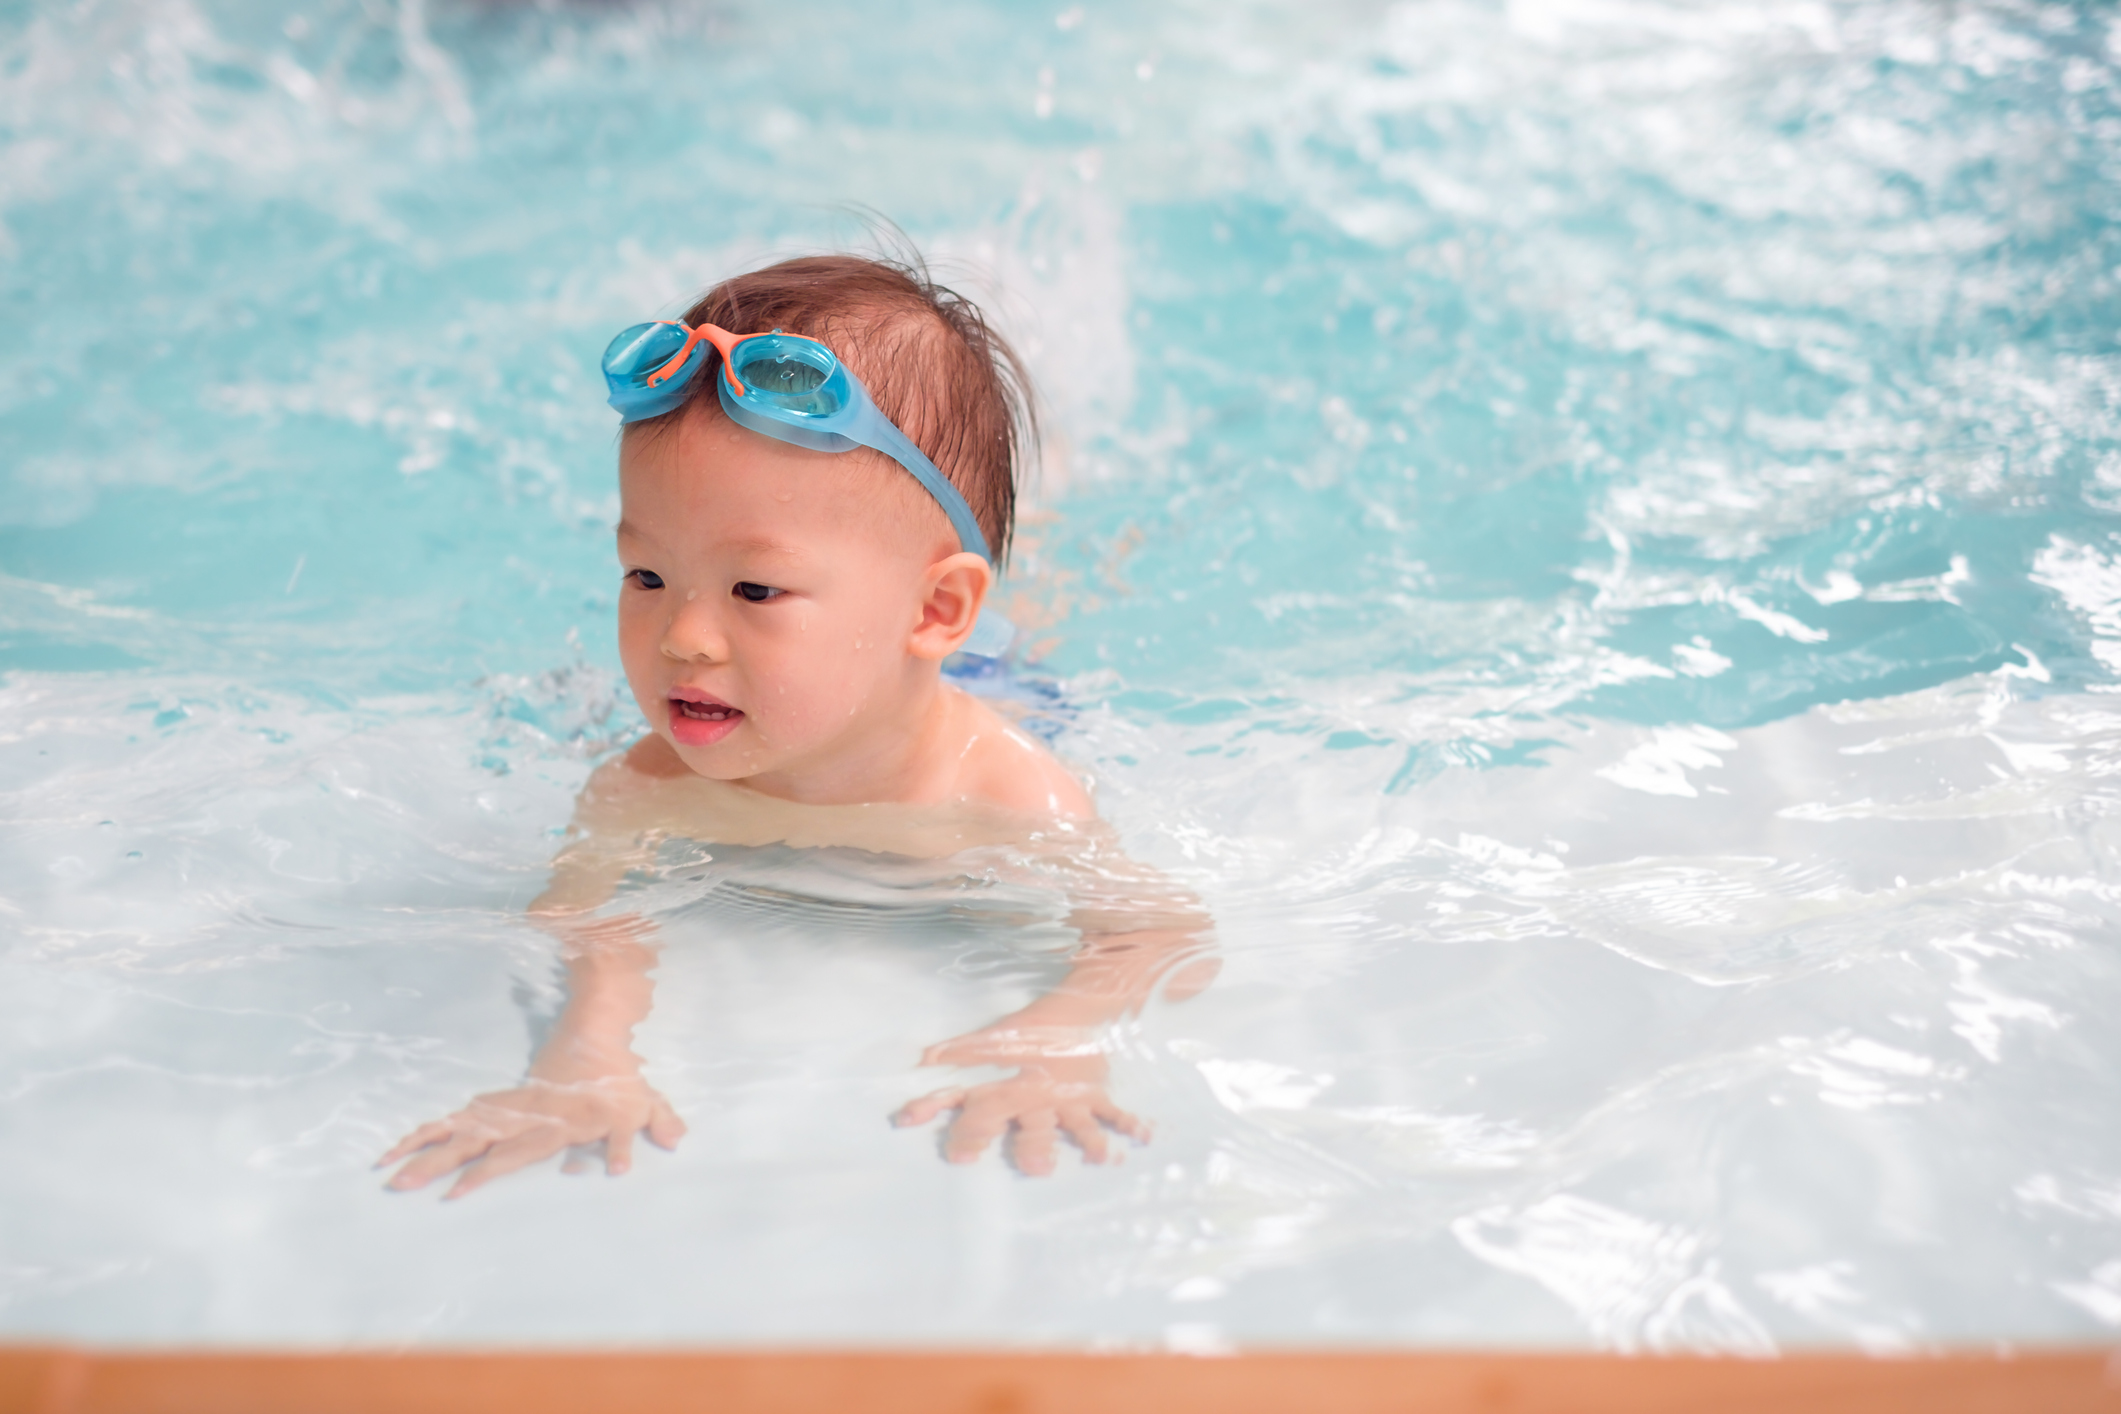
{"x":84,"y":1381}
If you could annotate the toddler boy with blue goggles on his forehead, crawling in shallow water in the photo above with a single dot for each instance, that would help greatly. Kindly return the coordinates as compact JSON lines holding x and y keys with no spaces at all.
{"x":818,"y":478}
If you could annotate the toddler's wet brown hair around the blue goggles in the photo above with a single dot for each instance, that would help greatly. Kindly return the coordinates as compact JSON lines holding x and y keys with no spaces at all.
{"x":926,"y":355}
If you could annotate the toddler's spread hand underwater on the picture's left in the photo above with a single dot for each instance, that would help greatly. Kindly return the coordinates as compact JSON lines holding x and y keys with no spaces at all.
{"x":512,"y":1129}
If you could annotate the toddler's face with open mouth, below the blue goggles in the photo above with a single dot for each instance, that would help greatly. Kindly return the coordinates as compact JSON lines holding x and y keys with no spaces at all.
{"x":775,"y":599}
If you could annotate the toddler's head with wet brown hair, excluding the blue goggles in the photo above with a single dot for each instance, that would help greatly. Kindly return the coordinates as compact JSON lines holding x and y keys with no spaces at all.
{"x":786,"y":612}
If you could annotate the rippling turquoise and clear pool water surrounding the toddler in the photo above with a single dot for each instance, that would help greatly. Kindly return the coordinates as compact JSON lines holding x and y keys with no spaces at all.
{"x":1588,"y":531}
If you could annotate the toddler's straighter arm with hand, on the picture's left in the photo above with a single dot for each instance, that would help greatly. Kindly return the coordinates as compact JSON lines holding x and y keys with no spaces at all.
{"x":584,"y":1086}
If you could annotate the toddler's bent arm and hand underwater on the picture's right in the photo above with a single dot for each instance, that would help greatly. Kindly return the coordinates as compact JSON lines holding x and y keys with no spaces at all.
{"x":1138,"y":932}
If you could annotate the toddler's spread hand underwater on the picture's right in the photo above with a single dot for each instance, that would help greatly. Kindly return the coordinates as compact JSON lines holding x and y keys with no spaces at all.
{"x":1051,"y":1097}
